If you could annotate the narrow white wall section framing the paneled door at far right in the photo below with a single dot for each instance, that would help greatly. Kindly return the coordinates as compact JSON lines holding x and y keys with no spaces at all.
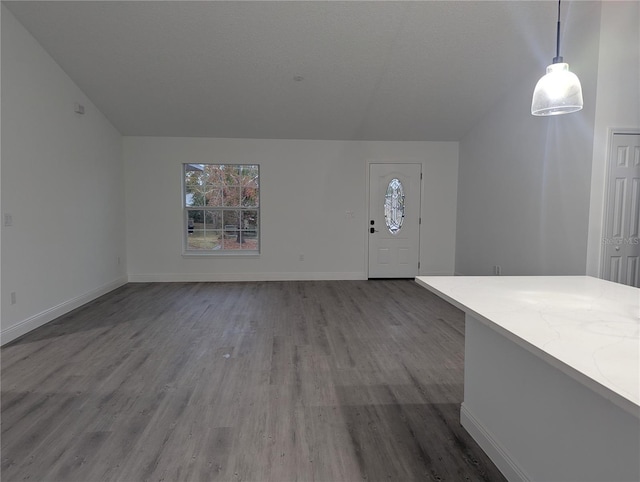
{"x":617,"y":105}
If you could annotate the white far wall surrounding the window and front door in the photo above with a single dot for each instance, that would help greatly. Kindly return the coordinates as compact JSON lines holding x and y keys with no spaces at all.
{"x":306,"y":188}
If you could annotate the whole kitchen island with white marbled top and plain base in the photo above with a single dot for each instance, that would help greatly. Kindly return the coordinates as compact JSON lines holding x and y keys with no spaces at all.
{"x":552,"y":374}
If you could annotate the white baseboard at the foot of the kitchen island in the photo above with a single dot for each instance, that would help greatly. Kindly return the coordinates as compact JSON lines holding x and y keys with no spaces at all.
{"x":496,"y":452}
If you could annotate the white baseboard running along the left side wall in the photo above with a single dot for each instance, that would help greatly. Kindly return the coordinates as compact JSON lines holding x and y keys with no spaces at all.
{"x":35,"y":321}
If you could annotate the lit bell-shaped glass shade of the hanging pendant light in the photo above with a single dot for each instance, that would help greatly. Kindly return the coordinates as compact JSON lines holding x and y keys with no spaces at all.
{"x":558,"y":92}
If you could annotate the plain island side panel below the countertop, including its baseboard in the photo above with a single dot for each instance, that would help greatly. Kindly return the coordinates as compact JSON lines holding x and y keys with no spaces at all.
{"x":537,"y":423}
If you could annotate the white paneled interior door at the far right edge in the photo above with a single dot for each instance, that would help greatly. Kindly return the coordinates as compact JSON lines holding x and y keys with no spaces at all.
{"x":621,"y":238}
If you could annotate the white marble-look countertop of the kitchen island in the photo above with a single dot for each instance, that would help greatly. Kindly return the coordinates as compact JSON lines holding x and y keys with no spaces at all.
{"x":587,"y":327}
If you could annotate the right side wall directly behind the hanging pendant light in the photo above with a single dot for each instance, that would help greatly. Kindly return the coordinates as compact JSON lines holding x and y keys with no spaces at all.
{"x":524,"y":182}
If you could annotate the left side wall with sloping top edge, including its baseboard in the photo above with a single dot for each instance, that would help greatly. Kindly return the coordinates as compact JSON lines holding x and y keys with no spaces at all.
{"x":62,"y":181}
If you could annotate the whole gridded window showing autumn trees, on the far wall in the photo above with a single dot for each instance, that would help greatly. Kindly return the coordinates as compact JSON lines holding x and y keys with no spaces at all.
{"x":221,"y":208}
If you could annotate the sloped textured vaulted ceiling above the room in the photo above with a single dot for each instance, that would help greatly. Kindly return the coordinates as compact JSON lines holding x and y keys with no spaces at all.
{"x":379,"y":70}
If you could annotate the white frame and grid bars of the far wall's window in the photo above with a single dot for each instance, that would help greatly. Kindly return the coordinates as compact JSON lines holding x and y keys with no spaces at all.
{"x":187,"y":229}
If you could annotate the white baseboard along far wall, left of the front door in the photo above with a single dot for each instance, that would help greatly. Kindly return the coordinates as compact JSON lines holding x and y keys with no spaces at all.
{"x":211,"y":277}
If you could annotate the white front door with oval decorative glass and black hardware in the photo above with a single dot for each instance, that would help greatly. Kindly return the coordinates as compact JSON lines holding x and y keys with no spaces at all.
{"x":394,"y":220}
